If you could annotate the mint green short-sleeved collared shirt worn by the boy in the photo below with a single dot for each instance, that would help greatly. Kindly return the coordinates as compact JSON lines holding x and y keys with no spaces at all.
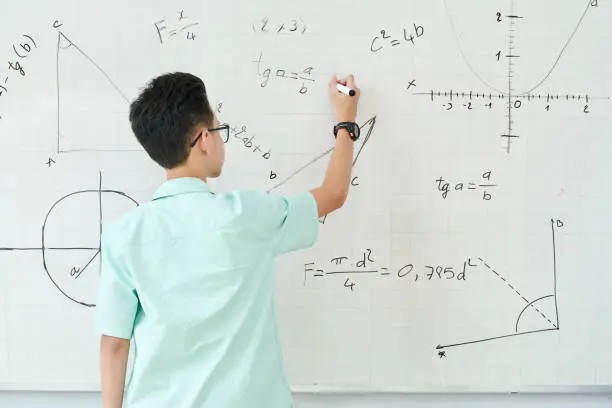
{"x":189,"y":275}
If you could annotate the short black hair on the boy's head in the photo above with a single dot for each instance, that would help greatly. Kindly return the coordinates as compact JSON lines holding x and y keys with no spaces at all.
{"x":165,"y":113}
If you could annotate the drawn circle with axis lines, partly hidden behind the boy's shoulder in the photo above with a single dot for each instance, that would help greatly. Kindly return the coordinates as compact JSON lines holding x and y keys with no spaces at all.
{"x":71,"y":236}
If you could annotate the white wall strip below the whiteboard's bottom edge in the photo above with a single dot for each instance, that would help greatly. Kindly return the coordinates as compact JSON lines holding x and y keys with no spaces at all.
{"x":92,"y":400}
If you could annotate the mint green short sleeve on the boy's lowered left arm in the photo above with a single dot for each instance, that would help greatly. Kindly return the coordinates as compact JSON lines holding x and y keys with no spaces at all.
{"x":117,"y":299}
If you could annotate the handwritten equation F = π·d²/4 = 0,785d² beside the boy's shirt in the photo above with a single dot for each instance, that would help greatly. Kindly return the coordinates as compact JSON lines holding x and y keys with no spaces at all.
{"x":350,"y":269}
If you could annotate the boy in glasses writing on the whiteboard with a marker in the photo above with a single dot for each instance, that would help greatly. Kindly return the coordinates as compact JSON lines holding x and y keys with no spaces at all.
{"x":190,"y":273}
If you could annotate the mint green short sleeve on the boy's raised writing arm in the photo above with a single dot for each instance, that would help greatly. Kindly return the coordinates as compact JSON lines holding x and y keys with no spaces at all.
{"x":291,"y":221}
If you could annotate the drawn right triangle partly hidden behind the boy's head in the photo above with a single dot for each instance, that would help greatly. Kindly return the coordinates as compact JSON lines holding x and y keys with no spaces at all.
{"x":92,"y":111}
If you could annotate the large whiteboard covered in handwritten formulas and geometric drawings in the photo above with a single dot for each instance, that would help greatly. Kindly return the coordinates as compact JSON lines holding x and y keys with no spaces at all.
{"x":472,"y":253}
